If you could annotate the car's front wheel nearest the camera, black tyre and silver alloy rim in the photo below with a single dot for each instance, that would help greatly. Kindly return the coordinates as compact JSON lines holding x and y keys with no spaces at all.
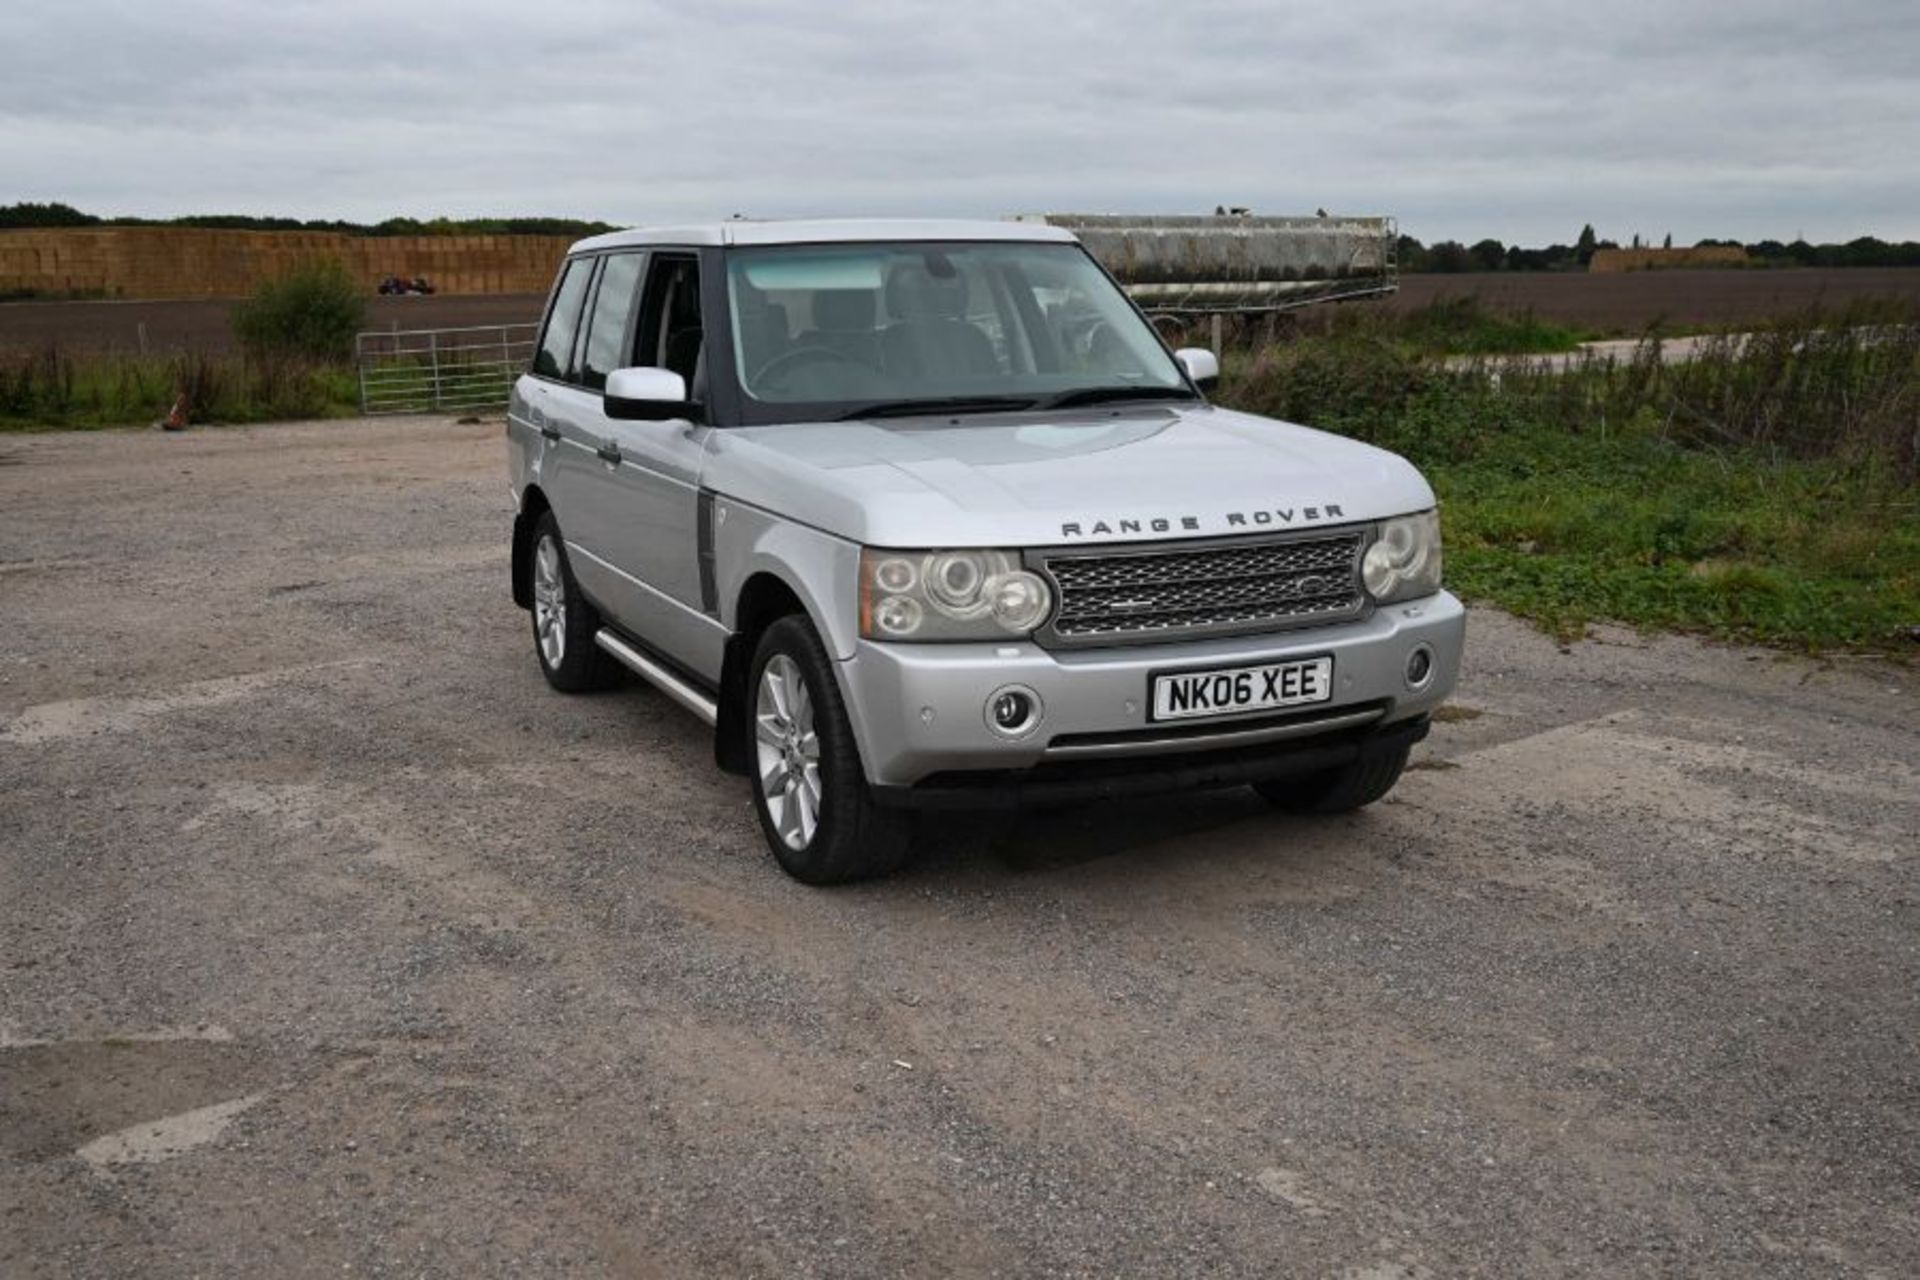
{"x":809,"y":788}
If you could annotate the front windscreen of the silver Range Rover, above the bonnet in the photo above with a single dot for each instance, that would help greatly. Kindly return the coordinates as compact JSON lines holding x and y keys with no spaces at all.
{"x":865,"y":323}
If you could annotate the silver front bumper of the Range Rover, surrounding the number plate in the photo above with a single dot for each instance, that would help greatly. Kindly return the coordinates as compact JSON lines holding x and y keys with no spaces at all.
{"x":921,"y":711}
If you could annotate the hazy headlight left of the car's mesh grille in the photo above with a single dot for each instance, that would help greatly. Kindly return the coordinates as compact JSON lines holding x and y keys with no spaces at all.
{"x":949,"y":596}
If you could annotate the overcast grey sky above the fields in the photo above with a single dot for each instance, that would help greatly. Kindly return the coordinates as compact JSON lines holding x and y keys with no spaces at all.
{"x":1522,"y":122}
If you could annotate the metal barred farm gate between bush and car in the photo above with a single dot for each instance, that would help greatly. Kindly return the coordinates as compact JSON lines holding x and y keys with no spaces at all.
{"x":441,"y":369}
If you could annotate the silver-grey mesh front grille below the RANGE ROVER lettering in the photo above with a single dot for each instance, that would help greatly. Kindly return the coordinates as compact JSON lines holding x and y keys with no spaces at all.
{"x":1186,"y":590}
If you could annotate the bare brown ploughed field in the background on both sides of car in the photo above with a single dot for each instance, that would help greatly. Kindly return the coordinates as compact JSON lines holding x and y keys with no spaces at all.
{"x":1606,"y":302}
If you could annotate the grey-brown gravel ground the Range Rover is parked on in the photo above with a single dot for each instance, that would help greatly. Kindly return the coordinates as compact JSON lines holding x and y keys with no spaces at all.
{"x":335,"y":943}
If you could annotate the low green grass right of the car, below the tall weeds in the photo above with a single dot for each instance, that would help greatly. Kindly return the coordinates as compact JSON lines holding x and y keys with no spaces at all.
{"x":1635,"y":529}
